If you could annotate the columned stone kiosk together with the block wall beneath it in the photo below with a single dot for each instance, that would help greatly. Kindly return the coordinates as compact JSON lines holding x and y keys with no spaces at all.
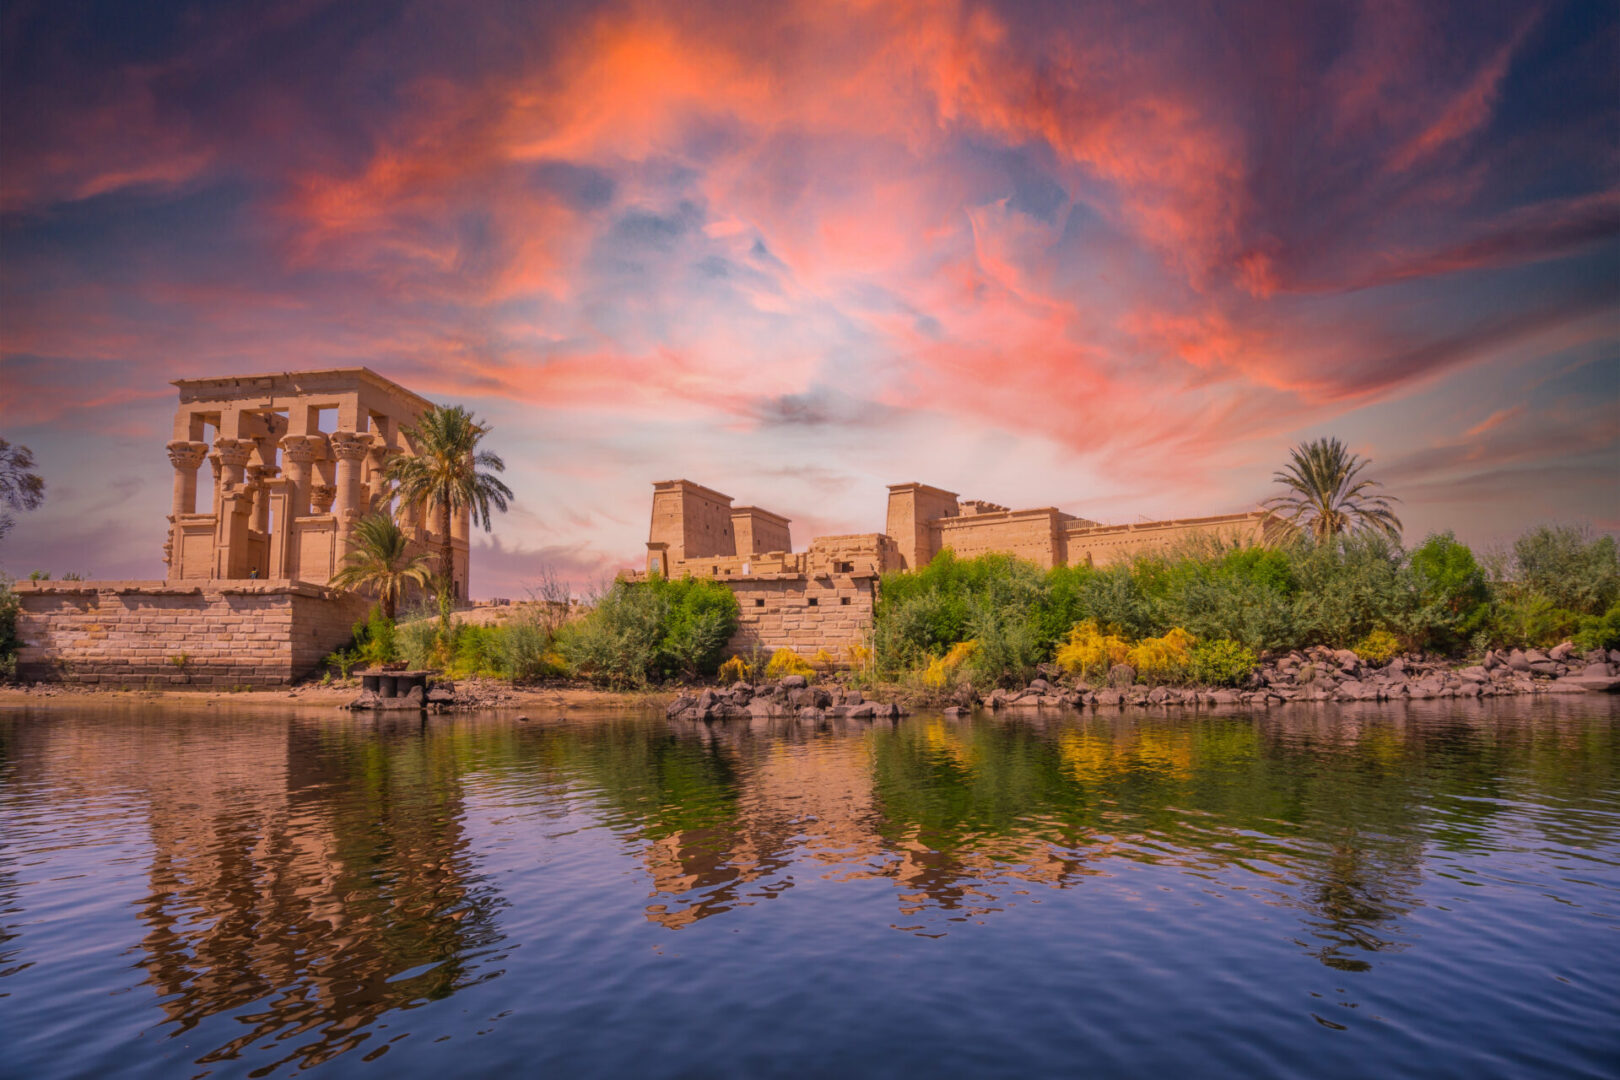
{"x":297,"y":459}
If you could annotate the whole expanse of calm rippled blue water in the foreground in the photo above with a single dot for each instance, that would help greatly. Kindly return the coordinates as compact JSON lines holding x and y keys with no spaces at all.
{"x":1360,"y":893}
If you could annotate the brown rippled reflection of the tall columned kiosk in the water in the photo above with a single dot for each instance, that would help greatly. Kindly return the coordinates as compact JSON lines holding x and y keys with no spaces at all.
{"x":304,"y":878}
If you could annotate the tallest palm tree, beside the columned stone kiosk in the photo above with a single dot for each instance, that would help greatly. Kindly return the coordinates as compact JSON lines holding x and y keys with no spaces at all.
{"x":446,"y":472}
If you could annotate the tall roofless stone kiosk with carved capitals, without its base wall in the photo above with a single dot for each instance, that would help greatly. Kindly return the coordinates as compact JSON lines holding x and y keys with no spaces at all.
{"x":296,"y":459}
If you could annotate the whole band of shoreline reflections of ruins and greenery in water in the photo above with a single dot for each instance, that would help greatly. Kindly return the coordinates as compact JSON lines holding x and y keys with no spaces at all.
{"x":307,"y":877}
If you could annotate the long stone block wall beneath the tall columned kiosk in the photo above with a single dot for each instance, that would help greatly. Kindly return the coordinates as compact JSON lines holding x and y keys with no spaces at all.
{"x":155,"y":634}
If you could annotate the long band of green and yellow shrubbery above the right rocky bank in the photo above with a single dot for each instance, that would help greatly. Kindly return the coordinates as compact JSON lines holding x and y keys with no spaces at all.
{"x":1358,"y":592}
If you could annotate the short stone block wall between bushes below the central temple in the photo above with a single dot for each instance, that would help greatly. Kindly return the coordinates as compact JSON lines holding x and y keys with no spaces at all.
{"x":803,"y":613}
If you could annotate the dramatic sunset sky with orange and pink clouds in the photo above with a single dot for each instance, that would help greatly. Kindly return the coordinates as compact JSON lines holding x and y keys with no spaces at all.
{"x":1111,"y":257}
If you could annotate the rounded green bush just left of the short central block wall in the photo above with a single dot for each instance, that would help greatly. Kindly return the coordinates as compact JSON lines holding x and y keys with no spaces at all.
{"x":652,"y":631}
